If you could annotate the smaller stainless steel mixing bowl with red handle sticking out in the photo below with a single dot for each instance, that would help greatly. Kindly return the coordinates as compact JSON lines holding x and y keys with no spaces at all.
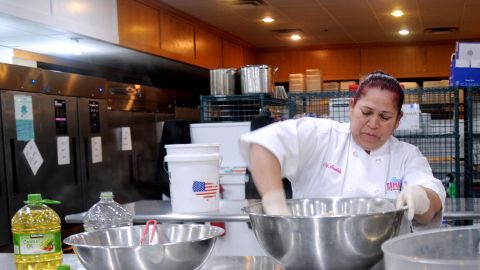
{"x":180,"y":246}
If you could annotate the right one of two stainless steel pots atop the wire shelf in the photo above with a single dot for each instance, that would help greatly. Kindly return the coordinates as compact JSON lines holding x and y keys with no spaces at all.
{"x":257,"y":79}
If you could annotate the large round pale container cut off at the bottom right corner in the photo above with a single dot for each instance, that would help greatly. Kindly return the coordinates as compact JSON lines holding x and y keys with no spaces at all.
{"x":439,"y":249}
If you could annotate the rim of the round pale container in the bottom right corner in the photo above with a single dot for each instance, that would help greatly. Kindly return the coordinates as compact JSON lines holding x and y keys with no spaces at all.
{"x":429,"y":261}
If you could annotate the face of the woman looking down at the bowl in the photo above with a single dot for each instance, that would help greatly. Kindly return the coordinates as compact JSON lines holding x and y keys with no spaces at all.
{"x":374,"y":118}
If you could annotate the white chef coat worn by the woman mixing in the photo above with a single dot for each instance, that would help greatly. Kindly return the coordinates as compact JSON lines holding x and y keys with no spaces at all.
{"x":321,"y":159}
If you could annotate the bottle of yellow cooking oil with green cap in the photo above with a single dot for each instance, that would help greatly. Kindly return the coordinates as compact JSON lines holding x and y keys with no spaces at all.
{"x":37,"y":241}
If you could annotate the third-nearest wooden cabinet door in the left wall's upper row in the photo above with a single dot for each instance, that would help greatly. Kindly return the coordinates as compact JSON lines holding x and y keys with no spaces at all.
{"x":208,"y":49}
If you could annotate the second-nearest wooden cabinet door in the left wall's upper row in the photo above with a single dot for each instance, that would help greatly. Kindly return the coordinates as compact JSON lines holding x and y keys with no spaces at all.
{"x":177,"y":36}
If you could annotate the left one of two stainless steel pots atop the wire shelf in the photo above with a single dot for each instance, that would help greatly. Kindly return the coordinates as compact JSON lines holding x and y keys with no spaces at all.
{"x":222,"y":81}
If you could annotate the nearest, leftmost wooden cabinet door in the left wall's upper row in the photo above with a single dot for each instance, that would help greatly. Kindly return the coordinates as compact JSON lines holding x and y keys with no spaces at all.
{"x":138,"y":25}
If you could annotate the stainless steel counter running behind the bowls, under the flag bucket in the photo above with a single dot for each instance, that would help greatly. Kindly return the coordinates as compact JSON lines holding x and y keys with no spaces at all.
{"x":455,"y":209}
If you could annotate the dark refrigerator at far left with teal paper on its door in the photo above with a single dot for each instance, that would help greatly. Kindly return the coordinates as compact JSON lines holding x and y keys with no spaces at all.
{"x":50,"y":122}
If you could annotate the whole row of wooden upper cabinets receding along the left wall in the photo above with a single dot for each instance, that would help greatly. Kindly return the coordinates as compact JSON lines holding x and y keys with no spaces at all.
{"x":149,"y":26}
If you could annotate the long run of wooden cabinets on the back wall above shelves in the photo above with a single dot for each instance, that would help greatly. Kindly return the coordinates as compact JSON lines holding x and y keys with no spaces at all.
{"x":402,"y":61}
